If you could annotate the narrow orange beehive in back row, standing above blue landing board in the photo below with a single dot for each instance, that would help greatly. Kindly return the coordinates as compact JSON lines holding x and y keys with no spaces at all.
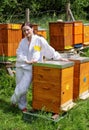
{"x":77,"y":32}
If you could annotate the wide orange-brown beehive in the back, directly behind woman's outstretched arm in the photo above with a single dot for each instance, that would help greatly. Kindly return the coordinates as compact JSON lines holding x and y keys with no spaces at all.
{"x":61,"y":35}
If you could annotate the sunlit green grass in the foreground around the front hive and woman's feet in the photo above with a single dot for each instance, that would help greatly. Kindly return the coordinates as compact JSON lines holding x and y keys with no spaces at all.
{"x":12,"y":118}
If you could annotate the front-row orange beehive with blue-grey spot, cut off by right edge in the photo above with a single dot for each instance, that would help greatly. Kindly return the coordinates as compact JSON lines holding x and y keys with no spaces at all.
{"x":81,"y":78}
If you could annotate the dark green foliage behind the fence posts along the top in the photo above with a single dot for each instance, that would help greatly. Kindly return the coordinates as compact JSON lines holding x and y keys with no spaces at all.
{"x":14,"y":10}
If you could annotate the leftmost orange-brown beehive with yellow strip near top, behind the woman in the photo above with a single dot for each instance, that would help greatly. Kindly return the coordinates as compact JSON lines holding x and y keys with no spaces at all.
{"x":10,"y":35}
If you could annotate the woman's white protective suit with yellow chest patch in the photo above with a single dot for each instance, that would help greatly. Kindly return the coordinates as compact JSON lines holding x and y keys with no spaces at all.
{"x":38,"y":48}
